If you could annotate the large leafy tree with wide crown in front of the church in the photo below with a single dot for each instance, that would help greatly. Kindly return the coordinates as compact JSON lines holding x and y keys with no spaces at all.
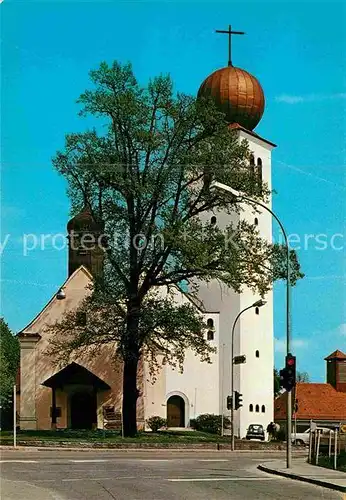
{"x":145,"y":175}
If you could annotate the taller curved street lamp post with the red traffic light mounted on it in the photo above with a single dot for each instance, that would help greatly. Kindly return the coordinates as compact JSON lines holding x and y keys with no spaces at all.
{"x":239,"y":198}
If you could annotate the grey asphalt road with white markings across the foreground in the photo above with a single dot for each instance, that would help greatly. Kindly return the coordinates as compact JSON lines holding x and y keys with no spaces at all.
{"x":146,"y":475}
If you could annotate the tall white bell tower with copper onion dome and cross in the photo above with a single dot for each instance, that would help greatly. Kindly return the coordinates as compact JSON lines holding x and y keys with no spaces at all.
{"x":240,"y":97}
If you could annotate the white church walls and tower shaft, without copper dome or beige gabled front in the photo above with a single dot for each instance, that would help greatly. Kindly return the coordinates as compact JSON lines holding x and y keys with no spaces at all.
{"x":203,"y":388}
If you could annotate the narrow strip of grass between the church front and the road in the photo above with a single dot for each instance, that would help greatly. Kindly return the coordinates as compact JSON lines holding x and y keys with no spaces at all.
{"x":6,"y":437}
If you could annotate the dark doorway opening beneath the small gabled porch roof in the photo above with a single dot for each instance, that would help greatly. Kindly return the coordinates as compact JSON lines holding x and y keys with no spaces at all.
{"x":83,"y":410}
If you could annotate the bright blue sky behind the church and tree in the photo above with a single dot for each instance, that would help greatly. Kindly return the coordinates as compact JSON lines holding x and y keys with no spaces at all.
{"x":297,"y":52}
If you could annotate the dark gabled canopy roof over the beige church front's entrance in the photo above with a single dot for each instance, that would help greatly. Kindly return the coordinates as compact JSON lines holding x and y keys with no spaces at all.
{"x":75,"y":374}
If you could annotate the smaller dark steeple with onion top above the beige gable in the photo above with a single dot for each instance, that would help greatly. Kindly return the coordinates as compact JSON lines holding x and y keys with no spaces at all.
{"x":85,"y":243}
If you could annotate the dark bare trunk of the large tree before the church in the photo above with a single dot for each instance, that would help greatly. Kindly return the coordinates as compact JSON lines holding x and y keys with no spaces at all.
{"x":131,"y":359}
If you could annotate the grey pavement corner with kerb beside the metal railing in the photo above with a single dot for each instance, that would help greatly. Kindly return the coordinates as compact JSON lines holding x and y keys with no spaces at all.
{"x":302,"y":471}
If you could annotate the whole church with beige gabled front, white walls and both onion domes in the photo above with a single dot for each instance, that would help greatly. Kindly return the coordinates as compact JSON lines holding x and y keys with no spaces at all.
{"x":87,"y":392}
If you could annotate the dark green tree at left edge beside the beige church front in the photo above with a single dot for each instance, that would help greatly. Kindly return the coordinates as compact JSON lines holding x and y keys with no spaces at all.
{"x":9,"y":363}
